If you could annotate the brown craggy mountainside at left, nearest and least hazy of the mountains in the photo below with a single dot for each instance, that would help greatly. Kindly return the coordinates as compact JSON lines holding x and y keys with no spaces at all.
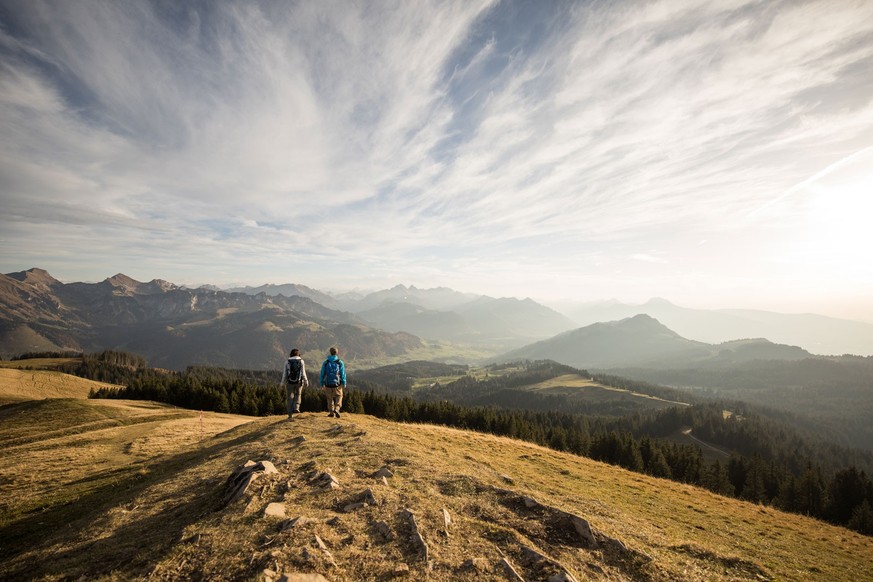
{"x":174,"y":327}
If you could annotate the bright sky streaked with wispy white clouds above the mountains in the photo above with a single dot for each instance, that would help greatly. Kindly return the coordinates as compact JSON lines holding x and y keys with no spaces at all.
{"x":716,"y":153}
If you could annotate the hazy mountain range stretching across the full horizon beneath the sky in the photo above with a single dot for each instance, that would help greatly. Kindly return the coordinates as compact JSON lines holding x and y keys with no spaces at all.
{"x":253,"y":327}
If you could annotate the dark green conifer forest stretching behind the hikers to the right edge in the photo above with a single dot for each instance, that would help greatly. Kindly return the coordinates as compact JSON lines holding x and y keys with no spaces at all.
{"x":767,"y":460}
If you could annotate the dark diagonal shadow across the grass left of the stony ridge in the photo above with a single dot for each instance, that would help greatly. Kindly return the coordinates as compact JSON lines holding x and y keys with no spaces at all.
{"x":132,"y":549}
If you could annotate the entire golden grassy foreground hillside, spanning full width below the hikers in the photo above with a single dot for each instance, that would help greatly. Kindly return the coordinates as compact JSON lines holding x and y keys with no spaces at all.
{"x":145,"y":498}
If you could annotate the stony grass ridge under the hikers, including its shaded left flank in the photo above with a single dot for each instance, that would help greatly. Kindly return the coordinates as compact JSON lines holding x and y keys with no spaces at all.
{"x":130,"y":527}
